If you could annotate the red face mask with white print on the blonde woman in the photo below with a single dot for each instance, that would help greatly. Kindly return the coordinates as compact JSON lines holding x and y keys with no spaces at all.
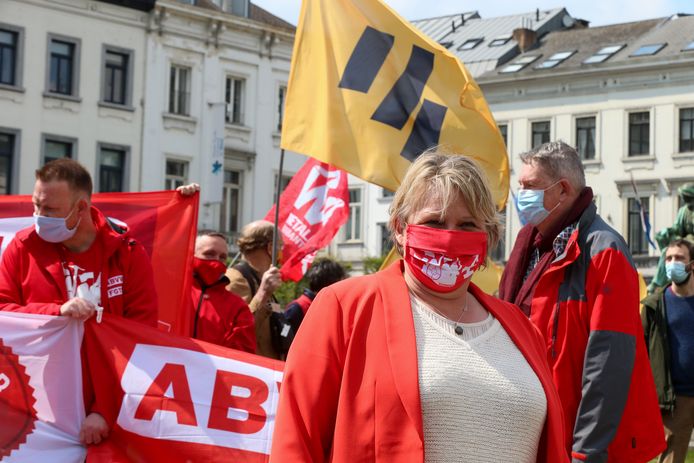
{"x":443,"y":260}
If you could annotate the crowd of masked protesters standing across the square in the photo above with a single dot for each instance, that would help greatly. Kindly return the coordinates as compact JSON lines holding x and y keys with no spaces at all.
{"x":414,"y":362}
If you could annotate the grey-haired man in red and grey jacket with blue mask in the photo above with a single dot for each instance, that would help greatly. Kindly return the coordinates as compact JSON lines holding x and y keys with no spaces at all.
{"x":573,"y":275}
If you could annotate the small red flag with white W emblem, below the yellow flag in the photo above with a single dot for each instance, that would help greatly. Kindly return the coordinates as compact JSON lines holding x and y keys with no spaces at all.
{"x":313,"y":207}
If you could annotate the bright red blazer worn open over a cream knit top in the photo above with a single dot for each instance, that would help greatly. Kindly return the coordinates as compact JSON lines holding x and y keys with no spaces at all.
{"x":350,"y":391}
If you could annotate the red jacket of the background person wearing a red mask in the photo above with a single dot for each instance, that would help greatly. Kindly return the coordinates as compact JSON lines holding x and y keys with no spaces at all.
{"x":222,"y":317}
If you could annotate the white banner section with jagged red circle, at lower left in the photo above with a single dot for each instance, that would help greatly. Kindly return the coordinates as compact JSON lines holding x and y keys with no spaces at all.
{"x":41,"y":406}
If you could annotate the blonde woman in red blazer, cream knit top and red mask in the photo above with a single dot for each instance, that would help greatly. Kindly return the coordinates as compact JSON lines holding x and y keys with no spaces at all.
{"x":415,"y":363}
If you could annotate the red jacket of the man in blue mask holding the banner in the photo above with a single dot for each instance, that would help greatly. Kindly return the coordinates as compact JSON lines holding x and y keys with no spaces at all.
{"x":32,"y":280}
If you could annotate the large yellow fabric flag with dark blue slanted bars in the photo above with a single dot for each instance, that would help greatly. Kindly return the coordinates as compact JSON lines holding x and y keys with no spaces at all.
{"x":368,"y":93}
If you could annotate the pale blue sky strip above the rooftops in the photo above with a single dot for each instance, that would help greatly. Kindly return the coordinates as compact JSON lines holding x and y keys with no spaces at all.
{"x":597,"y":12}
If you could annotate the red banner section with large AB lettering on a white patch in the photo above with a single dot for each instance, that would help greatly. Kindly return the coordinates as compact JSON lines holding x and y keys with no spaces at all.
{"x":169,"y":398}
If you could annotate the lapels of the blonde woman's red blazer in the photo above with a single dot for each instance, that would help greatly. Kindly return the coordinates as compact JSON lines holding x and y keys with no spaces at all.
{"x":401,"y":340}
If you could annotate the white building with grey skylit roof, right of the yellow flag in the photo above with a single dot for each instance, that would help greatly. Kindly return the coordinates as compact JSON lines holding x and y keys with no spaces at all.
{"x":624,"y":96}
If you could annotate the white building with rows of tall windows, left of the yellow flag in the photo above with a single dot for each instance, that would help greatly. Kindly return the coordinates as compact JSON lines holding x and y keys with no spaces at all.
{"x":132,"y":93}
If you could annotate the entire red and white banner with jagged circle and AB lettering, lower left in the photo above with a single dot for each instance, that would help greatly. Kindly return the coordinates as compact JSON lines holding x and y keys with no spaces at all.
{"x":164,"y":397}
